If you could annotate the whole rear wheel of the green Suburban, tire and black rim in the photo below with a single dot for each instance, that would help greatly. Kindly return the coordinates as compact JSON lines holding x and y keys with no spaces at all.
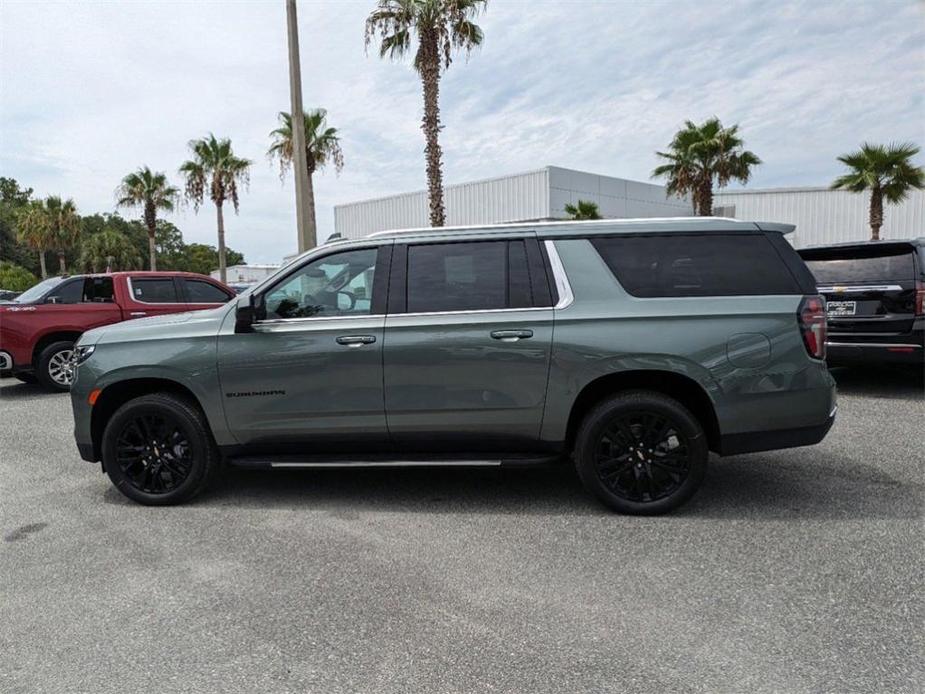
{"x":641,"y":453}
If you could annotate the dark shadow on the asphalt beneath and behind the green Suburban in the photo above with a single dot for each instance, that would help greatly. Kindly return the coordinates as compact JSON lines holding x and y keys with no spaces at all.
{"x":763,"y":487}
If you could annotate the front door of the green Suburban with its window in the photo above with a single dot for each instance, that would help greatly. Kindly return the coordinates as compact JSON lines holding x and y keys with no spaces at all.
{"x":309,"y":376}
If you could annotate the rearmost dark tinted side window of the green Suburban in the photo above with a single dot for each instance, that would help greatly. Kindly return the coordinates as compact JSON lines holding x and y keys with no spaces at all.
{"x":696,"y":265}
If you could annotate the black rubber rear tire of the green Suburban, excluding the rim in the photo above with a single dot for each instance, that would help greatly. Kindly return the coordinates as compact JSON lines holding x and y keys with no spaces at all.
{"x":603,"y":415}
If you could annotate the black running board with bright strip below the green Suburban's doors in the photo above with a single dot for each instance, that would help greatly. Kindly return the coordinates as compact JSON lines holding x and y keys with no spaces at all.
{"x":367,"y":461}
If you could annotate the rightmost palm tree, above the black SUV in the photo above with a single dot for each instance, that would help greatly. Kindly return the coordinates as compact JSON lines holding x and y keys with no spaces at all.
{"x":887,"y":172}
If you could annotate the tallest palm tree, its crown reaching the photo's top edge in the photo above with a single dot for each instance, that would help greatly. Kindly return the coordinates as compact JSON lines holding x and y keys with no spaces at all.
{"x":440,"y":26}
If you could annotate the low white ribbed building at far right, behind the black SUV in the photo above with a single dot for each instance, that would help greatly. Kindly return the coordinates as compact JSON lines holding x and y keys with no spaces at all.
{"x":822,"y":215}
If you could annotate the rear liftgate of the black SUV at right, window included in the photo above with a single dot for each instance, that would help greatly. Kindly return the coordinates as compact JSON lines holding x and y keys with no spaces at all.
{"x":870,"y":289}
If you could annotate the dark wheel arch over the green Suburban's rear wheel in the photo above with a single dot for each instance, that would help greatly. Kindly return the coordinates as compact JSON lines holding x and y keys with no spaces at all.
{"x":682,"y":388}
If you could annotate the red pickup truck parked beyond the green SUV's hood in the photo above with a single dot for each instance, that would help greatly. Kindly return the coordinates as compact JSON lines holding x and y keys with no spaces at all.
{"x":38,"y":328}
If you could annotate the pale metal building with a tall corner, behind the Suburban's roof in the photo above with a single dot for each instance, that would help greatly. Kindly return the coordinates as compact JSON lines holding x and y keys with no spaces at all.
{"x":529,"y":196}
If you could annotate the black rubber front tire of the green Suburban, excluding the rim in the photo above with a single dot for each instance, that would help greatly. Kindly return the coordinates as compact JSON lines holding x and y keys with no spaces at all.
{"x":199,"y":445}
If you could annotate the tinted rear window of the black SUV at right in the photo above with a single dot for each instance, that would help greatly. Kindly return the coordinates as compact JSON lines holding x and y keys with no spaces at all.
{"x":860,"y":265}
